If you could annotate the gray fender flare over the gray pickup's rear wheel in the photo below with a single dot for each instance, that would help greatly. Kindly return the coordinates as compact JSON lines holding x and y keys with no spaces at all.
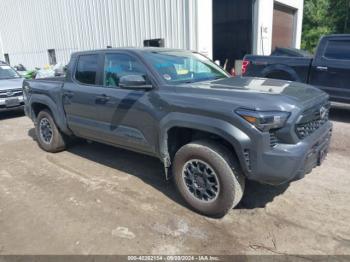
{"x":57,"y":111}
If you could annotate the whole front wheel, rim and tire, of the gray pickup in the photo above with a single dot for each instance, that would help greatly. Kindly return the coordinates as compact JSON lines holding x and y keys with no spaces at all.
{"x":208,"y":177}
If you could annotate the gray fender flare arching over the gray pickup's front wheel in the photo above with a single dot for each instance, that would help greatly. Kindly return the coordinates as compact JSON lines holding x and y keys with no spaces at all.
{"x":238,"y":139}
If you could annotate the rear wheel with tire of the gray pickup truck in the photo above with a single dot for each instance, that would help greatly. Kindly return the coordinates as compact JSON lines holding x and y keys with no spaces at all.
{"x":49,"y":137}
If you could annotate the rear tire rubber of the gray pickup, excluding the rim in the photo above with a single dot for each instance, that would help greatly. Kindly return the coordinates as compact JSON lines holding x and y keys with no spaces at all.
{"x":58,"y":142}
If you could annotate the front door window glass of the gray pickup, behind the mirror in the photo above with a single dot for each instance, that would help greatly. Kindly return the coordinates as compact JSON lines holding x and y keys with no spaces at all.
{"x":118,"y":65}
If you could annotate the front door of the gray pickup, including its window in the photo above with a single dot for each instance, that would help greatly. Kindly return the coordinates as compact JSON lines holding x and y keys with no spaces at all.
{"x":127,"y":118}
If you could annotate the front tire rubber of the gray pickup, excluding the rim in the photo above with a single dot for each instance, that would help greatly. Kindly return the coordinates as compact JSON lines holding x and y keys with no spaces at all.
{"x":226,"y":167}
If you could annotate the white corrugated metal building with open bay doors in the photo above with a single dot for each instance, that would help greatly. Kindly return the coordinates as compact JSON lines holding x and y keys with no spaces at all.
{"x":35,"y":33}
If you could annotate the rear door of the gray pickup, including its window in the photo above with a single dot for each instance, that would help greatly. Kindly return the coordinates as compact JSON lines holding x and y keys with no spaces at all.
{"x":82,"y":94}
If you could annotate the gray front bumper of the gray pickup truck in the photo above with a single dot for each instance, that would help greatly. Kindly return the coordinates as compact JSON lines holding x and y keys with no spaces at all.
{"x":284,"y":162}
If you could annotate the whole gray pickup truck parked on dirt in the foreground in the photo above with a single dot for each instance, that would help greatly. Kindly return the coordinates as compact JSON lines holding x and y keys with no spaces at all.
{"x":211,"y":131}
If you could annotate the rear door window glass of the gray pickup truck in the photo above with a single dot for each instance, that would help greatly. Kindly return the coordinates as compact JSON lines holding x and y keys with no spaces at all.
{"x":86,"y":70}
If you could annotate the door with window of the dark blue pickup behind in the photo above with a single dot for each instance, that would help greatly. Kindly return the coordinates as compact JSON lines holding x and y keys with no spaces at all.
{"x":331,"y":68}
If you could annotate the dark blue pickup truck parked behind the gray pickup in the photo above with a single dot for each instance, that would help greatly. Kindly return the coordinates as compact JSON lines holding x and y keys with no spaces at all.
{"x":329,"y":70}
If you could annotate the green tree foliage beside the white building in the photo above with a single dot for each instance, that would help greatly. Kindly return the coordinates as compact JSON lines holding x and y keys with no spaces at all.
{"x":323,"y":17}
